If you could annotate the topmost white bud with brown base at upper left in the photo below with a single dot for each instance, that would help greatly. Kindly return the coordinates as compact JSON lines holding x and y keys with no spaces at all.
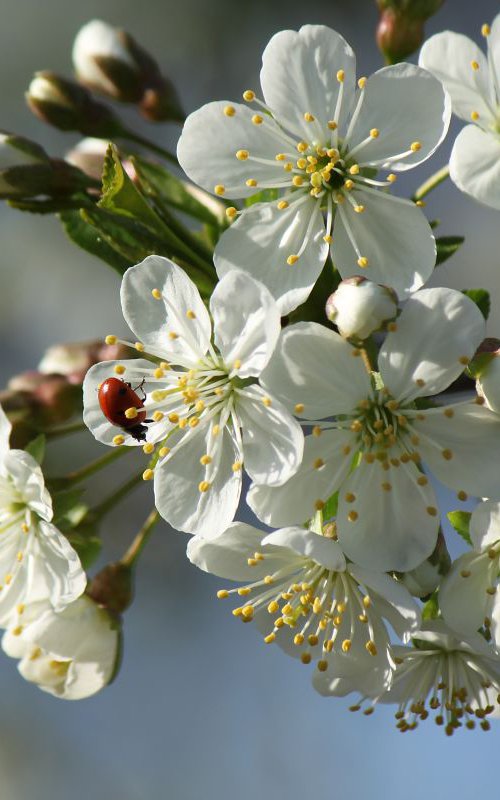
{"x":109,"y":61}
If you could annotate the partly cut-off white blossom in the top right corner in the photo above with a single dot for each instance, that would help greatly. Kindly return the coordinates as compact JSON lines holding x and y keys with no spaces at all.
{"x":473,"y":81}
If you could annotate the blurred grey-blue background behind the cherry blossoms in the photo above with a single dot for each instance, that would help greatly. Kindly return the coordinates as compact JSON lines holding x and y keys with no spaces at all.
{"x":200,"y":709}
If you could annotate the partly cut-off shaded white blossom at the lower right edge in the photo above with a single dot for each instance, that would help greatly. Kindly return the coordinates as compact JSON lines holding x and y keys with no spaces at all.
{"x":468,"y":597}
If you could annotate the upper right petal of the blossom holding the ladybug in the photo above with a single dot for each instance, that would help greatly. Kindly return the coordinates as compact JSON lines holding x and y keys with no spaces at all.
{"x":246,"y":322}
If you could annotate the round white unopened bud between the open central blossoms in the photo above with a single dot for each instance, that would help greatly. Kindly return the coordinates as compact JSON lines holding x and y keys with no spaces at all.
{"x":360,"y":307}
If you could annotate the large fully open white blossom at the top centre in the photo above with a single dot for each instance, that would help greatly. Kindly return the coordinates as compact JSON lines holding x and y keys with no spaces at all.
{"x":319,"y":140}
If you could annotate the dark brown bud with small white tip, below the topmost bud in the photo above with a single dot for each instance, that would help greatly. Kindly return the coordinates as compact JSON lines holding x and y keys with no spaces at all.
{"x":70,"y":107}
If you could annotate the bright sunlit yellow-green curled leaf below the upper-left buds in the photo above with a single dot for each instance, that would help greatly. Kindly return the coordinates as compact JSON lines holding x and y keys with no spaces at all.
{"x":121,"y":196}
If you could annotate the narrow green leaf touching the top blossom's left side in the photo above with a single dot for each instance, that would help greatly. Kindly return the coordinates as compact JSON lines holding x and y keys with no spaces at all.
{"x":159,"y":184}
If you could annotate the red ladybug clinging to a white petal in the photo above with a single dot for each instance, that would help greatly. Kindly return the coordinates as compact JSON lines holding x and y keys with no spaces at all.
{"x":115,"y":397}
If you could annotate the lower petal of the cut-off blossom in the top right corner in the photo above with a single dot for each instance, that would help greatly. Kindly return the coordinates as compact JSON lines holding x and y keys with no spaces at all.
{"x":475,"y":164}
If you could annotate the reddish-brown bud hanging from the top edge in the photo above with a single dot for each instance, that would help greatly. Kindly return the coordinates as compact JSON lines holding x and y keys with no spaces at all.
{"x":400,"y":31}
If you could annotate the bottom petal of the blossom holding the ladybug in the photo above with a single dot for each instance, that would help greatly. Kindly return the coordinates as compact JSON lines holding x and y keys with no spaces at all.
{"x":176,"y":482}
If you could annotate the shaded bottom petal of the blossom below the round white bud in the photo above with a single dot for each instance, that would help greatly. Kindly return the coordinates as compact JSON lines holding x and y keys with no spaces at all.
{"x":393,"y":529}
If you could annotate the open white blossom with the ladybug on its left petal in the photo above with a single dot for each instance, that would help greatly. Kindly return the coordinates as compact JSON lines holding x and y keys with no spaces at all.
{"x":203,"y":395}
